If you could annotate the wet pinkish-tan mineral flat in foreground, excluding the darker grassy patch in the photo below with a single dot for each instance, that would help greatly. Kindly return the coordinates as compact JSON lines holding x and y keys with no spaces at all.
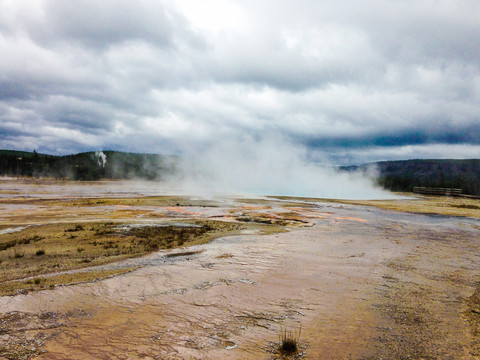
{"x":361,"y":282}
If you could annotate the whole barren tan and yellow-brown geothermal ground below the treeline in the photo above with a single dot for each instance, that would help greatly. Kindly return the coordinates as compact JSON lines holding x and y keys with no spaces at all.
{"x":361,"y":282}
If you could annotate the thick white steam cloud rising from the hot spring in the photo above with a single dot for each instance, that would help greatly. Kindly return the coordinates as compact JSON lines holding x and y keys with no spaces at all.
{"x":270,"y":167}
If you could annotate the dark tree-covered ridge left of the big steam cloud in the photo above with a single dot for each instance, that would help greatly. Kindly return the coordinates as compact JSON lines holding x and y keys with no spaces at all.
{"x":86,"y":166}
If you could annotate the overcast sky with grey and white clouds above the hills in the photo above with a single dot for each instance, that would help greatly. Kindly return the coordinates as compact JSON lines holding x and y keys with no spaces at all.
{"x":347,"y":81}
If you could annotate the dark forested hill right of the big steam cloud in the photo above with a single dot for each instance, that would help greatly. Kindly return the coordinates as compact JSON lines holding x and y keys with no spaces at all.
{"x":404,"y":175}
